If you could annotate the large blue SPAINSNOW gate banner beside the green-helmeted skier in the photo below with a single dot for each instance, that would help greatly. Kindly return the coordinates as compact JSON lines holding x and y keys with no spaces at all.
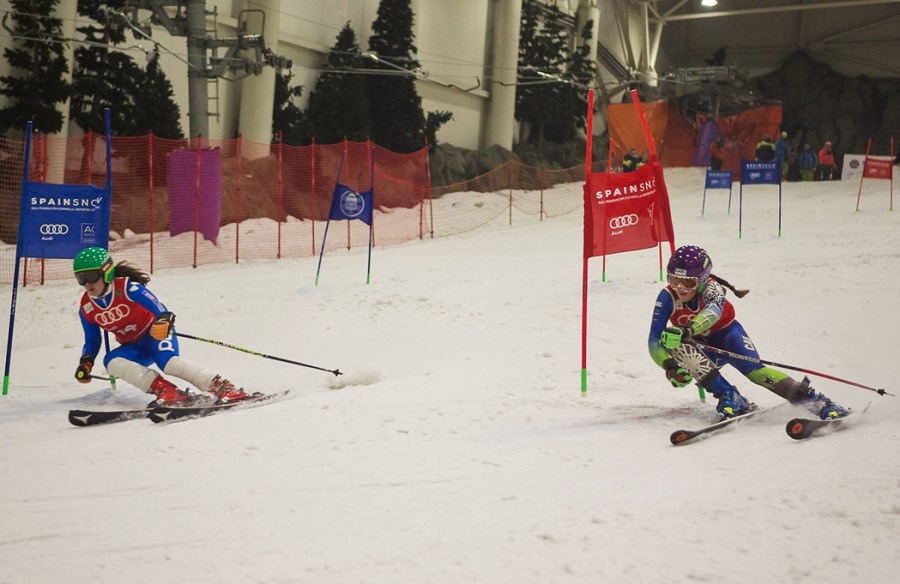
{"x":58,"y":221}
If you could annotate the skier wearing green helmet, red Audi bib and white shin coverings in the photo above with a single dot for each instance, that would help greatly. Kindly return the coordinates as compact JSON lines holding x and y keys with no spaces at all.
{"x":117,"y":300}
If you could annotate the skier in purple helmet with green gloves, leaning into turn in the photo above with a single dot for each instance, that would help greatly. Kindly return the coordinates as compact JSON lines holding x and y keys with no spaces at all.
{"x":692,"y":312}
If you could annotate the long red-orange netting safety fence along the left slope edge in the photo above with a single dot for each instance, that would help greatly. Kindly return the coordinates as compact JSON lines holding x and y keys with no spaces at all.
{"x":273,"y":199}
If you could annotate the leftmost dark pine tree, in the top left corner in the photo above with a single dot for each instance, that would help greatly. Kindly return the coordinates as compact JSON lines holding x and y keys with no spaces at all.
{"x":37,"y":83}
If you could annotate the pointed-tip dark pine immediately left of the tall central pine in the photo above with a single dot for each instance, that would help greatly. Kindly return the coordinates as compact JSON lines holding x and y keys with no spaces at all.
{"x":337,"y":107}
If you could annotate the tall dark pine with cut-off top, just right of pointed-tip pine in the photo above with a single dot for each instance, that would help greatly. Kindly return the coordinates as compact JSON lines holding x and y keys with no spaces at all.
{"x":395,"y":108}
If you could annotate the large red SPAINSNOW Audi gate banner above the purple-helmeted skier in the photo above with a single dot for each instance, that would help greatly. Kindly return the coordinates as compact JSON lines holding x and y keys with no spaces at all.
{"x":626,"y":211}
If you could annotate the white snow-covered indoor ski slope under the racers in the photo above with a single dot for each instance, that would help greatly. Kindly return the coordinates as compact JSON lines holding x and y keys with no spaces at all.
{"x":457,"y":446}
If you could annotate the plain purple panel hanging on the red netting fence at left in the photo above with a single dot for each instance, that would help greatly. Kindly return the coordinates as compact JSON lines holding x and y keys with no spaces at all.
{"x":192,"y":208}
